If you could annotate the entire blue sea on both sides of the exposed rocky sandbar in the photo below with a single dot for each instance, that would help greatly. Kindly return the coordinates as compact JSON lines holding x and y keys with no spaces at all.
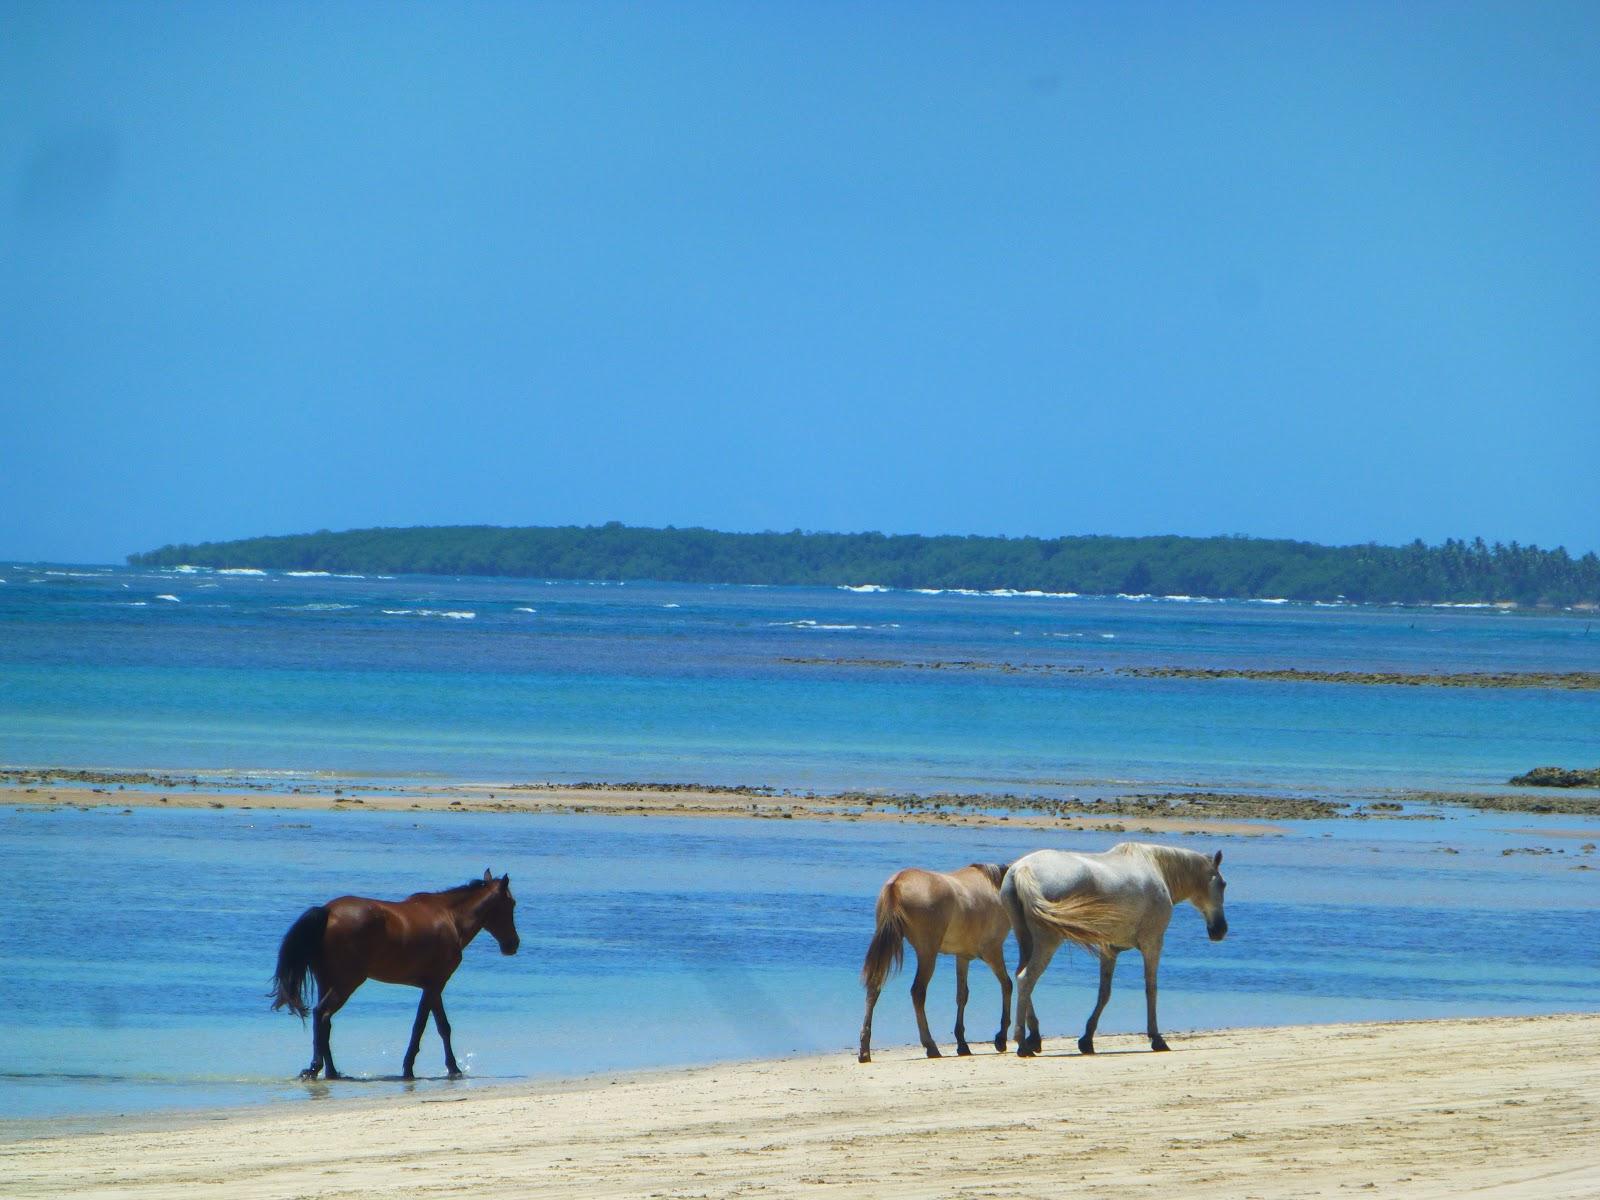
{"x":138,"y":943}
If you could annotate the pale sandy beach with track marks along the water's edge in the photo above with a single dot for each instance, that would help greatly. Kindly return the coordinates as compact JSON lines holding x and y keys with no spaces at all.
{"x":1506,"y":1108}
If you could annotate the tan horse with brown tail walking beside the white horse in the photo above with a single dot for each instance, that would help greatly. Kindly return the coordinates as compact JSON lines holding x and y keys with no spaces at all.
{"x":958,"y":914}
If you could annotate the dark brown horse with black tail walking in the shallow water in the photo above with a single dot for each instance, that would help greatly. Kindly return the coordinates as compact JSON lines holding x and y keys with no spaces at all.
{"x":415,"y":942}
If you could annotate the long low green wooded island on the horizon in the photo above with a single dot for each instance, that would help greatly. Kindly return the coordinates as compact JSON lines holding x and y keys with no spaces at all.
{"x":1260,"y":569}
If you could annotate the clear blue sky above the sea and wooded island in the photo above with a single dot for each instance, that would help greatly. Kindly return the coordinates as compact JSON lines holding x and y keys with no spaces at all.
{"x":1316,"y":271}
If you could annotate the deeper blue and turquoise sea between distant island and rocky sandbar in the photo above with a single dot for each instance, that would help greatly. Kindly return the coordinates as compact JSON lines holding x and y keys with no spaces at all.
{"x":524,"y":681}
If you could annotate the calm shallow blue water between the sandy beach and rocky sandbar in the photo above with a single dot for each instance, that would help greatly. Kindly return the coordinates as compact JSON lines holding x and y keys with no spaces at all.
{"x":138,"y":945}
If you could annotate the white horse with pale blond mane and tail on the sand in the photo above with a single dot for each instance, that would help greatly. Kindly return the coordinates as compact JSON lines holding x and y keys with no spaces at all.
{"x":1110,"y":903}
